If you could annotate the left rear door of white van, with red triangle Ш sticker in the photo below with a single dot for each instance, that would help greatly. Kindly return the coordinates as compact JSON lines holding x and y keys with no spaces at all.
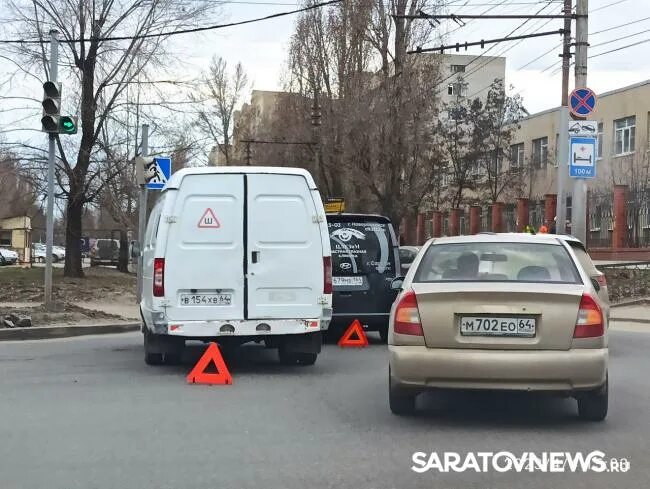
{"x":204,"y":256}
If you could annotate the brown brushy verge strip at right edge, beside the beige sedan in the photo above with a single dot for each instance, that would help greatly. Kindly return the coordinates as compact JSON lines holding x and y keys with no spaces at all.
{"x":626,"y":281}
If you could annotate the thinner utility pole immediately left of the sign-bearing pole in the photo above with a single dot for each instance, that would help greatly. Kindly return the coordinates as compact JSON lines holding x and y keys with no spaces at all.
{"x":563,"y":138}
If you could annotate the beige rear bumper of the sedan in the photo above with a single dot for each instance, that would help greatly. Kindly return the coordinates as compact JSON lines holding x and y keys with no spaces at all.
{"x":416,"y":368}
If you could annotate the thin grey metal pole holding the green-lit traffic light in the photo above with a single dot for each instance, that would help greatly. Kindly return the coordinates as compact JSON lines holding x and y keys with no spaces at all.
{"x":49,"y":226}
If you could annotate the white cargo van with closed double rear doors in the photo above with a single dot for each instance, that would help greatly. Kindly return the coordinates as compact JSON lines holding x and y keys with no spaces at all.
{"x":237,"y":254}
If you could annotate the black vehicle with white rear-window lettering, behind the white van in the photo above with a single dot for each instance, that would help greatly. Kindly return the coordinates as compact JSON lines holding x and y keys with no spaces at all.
{"x":365,"y":259}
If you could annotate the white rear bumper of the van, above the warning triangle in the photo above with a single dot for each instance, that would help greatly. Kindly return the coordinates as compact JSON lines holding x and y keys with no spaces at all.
{"x":261,"y":327}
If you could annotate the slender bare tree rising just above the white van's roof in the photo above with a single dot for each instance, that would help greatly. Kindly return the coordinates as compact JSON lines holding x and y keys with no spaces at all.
{"x":220,"y":92}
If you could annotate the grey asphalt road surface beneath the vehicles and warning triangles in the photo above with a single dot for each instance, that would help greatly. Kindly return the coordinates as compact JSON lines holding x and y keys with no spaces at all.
{"x":88,"y":413}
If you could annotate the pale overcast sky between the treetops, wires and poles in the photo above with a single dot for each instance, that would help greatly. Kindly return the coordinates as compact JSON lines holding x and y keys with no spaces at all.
{"x":262,"y":47}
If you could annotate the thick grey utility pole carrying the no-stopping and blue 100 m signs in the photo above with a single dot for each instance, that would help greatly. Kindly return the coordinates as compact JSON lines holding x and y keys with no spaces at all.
{"x":579,"y":201}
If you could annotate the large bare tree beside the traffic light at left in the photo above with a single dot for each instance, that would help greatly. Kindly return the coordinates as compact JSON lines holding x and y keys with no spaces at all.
{"x":102,"y":69}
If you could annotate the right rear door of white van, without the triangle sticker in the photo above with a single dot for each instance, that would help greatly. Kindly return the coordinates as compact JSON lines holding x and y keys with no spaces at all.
{"x":285,"y":250}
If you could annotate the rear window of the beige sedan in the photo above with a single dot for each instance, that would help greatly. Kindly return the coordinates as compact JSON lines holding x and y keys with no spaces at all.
{"x":497,"y":262}
